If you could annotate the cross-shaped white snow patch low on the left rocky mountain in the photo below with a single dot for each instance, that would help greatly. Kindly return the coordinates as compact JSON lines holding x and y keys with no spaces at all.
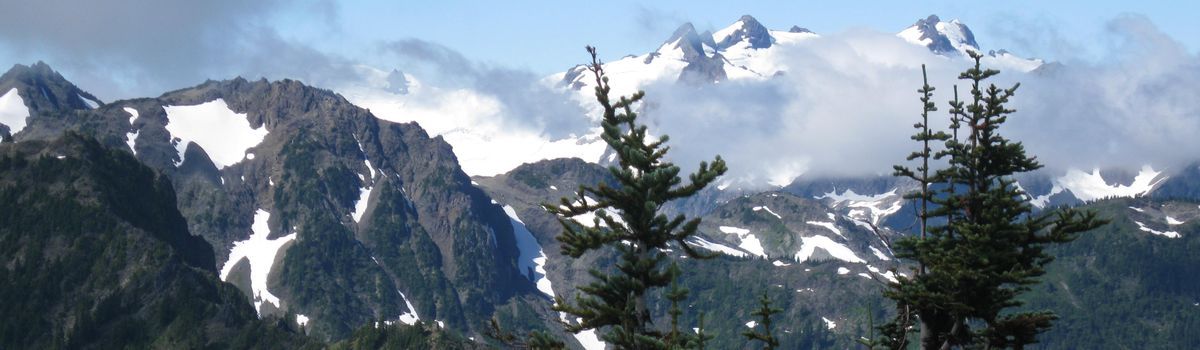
{"x":261,"y":252}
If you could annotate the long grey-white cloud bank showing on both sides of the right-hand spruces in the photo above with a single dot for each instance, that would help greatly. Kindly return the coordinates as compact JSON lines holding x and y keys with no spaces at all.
{"x":848,"y":104}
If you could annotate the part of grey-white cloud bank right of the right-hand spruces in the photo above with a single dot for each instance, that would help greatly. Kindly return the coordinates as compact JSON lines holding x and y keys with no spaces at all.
{"x":1138,"y":107}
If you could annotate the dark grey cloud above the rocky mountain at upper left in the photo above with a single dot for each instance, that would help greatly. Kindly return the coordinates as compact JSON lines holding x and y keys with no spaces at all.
{"x":130,"y":49}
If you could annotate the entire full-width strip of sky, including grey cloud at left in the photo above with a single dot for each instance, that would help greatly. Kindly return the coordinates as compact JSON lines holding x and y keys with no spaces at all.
{"x":130,"y":49}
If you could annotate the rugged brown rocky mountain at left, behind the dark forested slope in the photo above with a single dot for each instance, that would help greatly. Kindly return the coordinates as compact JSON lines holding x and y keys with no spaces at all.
{"x":387,"y":226}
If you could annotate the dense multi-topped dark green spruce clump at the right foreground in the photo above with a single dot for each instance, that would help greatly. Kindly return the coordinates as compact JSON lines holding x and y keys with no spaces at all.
{"x":989,"y":246}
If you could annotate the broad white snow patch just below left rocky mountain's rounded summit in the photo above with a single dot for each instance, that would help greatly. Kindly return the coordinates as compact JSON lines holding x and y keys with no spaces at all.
{"x":225,"y":135}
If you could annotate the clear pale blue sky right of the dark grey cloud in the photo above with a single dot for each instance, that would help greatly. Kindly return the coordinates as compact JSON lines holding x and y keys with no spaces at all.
{"x":548,"y":37}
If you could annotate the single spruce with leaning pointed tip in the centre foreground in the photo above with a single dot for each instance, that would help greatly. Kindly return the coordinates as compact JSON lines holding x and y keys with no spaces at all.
{"x":629,"y":220}
